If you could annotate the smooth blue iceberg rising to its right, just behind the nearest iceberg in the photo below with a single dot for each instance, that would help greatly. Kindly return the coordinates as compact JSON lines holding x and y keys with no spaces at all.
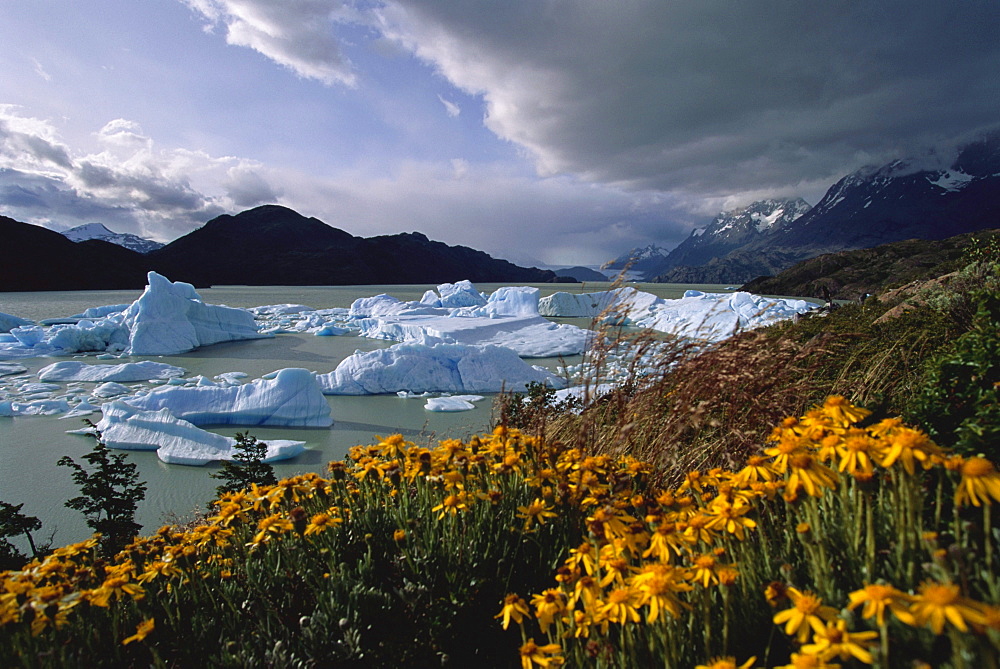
{"x":292,"y":398}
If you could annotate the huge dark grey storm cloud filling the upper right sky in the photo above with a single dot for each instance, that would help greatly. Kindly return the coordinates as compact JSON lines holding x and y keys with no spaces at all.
{"x":715,"y":97}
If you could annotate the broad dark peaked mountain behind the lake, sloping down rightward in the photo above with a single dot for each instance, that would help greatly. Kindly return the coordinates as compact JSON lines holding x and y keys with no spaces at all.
{"x":273,"y":245}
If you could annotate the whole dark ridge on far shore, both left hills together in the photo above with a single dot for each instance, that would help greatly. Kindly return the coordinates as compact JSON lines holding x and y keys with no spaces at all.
{"x":267,"y":245}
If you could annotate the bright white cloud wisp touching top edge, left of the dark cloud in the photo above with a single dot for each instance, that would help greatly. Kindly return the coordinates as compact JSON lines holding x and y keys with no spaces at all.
{"x":298,"y":34}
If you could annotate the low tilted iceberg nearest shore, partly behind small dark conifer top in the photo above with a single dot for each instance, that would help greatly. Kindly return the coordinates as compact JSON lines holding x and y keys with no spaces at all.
{"x":175,"y":441}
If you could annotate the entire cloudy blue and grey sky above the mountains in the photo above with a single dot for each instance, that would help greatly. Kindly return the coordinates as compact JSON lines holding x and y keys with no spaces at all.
{"x":549,"y":132}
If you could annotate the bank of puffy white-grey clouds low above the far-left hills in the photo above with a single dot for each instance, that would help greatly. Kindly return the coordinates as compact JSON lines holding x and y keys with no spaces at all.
{"x":139,"y":187}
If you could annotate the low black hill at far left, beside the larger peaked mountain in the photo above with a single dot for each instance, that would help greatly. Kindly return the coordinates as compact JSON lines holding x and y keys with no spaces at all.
{"x":36,"y":258}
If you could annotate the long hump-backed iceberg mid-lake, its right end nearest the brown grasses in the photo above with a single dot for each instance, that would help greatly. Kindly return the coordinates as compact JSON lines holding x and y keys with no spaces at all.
{"x":432,"y":366}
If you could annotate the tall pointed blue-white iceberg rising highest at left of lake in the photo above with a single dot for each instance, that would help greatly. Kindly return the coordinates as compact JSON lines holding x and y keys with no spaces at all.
{"x":170,"y":318}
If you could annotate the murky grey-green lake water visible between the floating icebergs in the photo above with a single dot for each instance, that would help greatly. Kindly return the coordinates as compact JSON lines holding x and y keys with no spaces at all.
{"x":31,"y":445}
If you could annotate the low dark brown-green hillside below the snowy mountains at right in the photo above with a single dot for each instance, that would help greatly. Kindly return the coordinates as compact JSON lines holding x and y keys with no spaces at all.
{"x":847,"y":275}
